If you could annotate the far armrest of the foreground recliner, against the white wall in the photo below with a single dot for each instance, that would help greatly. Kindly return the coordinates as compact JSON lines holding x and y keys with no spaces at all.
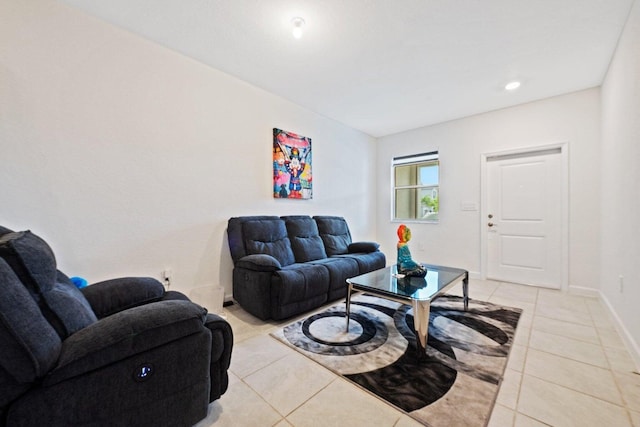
{"x":111,"y":296}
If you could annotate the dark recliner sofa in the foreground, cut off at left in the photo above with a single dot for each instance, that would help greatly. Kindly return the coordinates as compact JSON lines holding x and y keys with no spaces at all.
{"x":121,"y":352}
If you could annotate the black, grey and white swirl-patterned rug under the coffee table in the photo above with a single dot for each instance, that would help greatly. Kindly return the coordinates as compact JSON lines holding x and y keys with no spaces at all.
{"x":457,"y":383}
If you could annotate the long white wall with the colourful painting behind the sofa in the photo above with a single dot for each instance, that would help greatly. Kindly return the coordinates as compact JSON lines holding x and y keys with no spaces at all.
{"x":129,"y":158}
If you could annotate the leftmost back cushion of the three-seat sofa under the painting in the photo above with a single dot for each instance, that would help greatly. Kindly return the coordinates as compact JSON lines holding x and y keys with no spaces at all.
{"x":268,"y":236}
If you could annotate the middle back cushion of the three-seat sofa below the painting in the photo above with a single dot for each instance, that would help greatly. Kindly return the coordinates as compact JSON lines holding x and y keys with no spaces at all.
{"x":305,"y":238}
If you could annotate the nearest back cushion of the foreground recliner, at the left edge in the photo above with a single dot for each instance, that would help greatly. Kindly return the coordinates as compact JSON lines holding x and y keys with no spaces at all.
{"x":30,"y":346}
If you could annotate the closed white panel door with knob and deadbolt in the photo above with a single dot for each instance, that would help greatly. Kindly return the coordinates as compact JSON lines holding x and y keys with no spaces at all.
{"x":524,"y":218}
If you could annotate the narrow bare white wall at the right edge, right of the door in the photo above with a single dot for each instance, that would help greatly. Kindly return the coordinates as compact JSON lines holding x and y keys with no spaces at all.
{"x":620,"y":157}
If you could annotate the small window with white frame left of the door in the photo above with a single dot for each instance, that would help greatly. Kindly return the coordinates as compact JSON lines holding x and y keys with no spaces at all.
{"x":416,"y":187}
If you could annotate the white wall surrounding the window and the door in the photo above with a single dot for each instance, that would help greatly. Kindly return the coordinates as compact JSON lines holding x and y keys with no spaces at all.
{"x":455,"y":240}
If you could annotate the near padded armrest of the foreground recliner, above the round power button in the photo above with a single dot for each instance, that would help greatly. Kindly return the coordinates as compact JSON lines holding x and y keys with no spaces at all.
{"x":126,"y":334}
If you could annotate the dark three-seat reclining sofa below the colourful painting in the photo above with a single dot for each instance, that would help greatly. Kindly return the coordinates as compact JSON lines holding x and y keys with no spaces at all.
{"x":284,"y":266}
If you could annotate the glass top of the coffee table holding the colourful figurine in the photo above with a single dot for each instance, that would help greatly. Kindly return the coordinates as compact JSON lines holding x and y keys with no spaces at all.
{"x":386,"y":281}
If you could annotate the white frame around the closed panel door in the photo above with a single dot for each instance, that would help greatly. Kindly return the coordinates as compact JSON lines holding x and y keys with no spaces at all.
{"x":484,"y":194}
